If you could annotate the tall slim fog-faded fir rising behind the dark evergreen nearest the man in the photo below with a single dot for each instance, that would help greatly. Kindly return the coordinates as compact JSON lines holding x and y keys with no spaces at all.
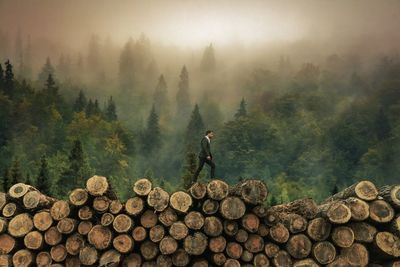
{"x":182,"y":96}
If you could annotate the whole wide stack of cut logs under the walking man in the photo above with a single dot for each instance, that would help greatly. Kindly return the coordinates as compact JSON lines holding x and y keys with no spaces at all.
{"x":210,"y":225}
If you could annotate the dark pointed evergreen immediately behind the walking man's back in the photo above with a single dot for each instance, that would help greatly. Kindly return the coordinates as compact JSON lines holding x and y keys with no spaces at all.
{"x":194,"y":130}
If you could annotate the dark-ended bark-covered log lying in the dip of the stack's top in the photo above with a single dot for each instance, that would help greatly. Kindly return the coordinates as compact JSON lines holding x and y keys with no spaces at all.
{"x":304,"y":207}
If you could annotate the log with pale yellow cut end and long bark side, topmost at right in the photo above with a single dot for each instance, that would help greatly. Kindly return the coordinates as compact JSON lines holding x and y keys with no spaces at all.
{"x":364,"y":190}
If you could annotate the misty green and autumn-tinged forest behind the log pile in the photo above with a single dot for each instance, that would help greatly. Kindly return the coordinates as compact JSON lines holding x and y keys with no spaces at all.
{"x":308,"y":116}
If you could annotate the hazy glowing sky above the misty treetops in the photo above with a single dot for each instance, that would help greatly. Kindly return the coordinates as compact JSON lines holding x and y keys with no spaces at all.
{"x":196,"y":23}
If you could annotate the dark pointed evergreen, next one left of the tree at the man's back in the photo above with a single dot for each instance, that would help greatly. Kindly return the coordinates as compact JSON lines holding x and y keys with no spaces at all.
{"x":151,"y":139}
